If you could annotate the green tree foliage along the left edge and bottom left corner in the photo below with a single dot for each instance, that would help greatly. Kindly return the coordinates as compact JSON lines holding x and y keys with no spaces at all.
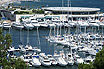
{"x":5,"y":61}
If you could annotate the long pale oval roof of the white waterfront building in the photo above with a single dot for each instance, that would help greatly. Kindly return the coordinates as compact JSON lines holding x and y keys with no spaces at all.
{"x":71,"y":9}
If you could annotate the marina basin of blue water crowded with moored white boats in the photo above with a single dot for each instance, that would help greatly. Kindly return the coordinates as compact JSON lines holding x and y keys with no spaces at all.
{"x":77,"y":34}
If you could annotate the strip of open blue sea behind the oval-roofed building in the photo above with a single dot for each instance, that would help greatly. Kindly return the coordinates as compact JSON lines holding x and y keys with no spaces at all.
{"x":58,"y":3}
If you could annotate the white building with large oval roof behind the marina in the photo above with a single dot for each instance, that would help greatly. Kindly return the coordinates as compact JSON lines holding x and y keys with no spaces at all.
{"x":74,"y":13}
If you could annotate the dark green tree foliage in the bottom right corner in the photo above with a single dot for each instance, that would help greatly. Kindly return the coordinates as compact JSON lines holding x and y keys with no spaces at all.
{"x":97,"y":64}
